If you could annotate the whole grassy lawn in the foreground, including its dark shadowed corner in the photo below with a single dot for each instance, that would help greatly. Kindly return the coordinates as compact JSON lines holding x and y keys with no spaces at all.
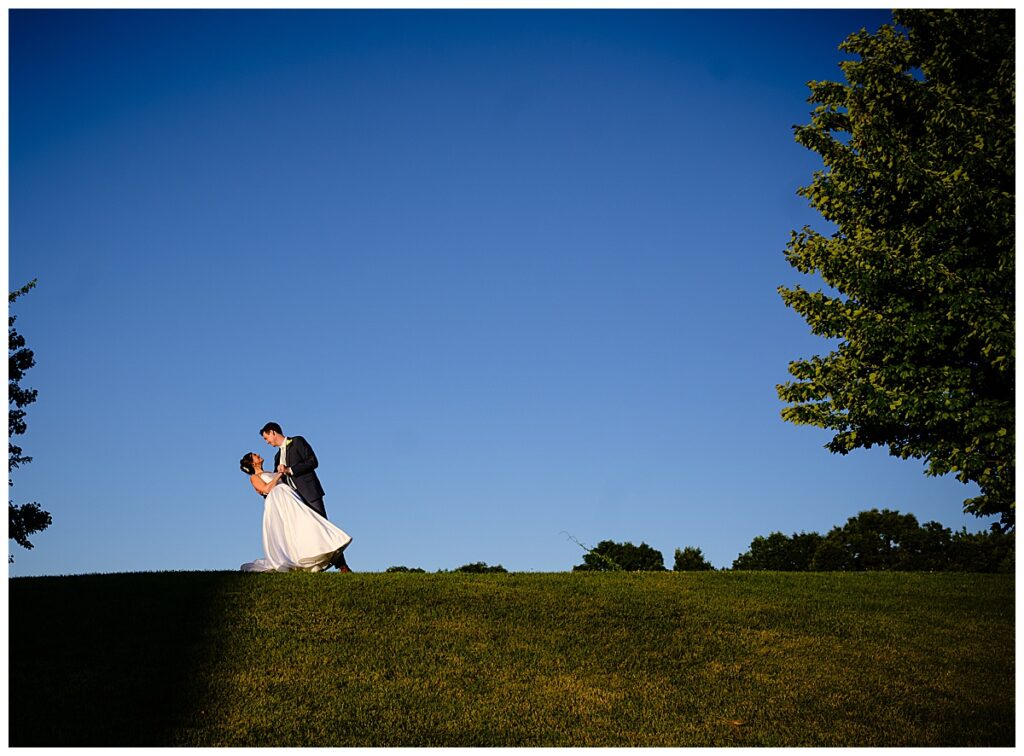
{"x":719,"y":659}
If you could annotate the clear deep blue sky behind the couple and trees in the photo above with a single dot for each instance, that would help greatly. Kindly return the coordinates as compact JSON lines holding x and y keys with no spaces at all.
{"x":513,"y":274}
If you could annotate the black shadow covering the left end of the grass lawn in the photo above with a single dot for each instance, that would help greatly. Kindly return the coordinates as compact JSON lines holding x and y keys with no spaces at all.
{"x":108,"y":660}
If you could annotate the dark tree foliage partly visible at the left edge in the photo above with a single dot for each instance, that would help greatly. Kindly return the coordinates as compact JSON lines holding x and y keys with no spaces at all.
{"x":24,"y":520}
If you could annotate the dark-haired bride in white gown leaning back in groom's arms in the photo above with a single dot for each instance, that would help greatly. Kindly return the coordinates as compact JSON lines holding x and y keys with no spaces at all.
{"x":294,"y":536}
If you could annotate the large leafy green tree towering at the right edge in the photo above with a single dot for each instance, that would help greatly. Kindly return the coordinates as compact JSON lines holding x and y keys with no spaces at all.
{"x":918,"y":146}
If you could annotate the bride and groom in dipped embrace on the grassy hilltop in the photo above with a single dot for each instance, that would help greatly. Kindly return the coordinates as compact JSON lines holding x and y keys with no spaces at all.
{"x":297,"y":535}
